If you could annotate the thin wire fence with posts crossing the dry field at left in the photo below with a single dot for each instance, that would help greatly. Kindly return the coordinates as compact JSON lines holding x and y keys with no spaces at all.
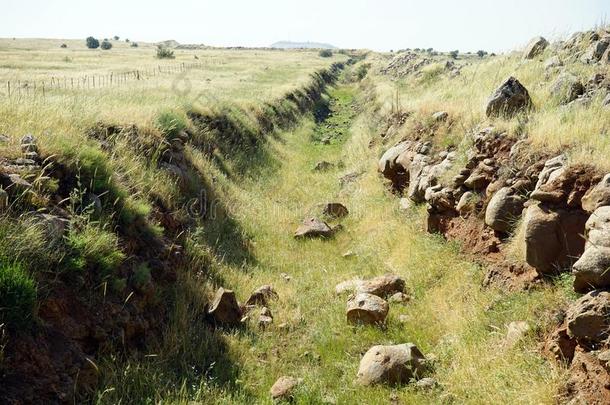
{"x":20,"y":89}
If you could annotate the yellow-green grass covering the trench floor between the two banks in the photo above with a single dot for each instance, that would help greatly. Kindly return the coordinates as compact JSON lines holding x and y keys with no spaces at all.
{"x":450,"y":315}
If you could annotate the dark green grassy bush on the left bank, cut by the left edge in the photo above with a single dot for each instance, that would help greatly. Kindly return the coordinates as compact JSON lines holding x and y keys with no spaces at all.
{"x":17,"y":296}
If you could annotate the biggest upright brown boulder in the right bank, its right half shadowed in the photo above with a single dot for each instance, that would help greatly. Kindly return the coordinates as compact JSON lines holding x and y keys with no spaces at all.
{"x":553,"y":237}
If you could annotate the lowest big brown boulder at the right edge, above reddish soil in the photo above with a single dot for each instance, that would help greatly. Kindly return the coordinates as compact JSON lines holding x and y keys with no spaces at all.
{"x":588,"y":319}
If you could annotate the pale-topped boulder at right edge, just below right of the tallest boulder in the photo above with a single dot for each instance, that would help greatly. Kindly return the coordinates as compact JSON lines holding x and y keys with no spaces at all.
{"x":591,"y":269}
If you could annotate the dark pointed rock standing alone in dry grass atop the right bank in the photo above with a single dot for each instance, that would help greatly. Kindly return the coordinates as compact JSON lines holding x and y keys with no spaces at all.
{"x":509,"y":99}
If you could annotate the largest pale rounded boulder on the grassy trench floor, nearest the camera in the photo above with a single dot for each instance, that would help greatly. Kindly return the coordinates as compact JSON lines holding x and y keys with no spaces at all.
{"x":391,"y":365}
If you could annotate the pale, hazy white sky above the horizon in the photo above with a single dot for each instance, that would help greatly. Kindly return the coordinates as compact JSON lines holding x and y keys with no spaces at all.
{"x":465,"y":25}
